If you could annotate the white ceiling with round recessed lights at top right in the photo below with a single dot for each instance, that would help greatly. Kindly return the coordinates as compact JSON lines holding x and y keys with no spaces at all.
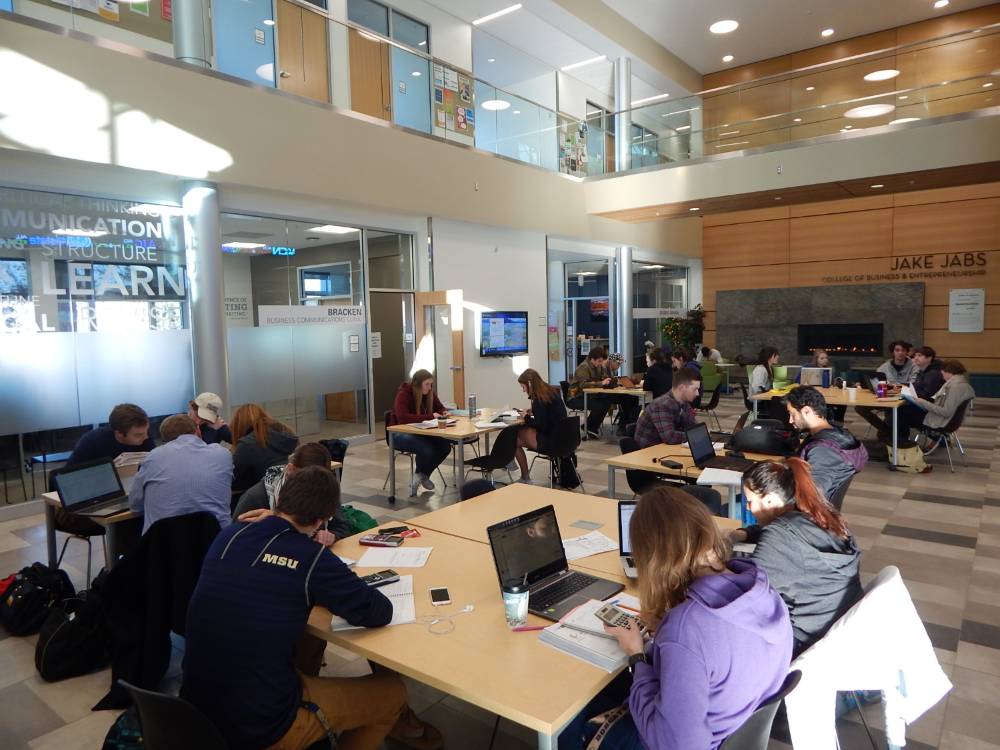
{"x":768,"y":28}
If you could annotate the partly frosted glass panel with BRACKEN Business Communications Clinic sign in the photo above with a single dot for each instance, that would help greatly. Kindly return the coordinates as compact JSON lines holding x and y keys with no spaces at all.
{"x":295,"y":320}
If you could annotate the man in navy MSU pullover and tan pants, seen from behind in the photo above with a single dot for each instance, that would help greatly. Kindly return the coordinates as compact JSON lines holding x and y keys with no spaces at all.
{"x":258,"y":584}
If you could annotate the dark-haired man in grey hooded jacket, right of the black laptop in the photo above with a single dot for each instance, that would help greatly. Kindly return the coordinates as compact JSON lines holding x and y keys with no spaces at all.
{"x":833,"y":453}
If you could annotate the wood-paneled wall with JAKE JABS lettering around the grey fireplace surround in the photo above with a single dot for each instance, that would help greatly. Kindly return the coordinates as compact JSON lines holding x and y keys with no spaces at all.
{"x":947,"y":239}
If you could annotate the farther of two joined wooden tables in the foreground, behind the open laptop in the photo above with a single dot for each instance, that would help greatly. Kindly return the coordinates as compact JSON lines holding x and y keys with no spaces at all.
{"x":470,"y":519}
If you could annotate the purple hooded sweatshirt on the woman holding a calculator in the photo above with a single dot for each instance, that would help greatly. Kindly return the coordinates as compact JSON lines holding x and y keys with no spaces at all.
{"x":716,"y":657}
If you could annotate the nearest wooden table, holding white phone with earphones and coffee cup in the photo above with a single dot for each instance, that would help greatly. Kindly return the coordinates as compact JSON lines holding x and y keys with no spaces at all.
{"x":481,"y":661}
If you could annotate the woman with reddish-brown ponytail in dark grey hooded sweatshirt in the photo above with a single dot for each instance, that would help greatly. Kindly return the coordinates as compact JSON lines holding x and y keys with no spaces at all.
{"x":803,"y":543}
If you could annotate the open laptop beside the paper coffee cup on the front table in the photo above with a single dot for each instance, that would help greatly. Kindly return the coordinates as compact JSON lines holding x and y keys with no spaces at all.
{"x":529,"y":548}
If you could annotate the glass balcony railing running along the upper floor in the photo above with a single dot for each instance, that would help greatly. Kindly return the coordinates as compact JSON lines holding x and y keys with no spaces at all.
{"x":299,"y":48}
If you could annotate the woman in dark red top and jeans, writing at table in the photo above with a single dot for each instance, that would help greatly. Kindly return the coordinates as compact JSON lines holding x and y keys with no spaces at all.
{"x":417,"y":402}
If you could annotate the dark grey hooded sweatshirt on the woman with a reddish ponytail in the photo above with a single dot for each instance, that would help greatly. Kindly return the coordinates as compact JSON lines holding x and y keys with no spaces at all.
{"x":814,"y":571}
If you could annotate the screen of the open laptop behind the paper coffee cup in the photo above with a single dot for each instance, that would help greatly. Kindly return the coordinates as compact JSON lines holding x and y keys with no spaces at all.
{"x":528,"y":545}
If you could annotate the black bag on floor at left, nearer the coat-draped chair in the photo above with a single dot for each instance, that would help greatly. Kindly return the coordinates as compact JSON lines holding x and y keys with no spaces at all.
{"x":74,"y":638}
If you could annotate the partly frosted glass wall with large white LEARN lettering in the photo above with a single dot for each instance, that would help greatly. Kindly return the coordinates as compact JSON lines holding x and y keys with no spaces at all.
{"x":93,"y":310}
